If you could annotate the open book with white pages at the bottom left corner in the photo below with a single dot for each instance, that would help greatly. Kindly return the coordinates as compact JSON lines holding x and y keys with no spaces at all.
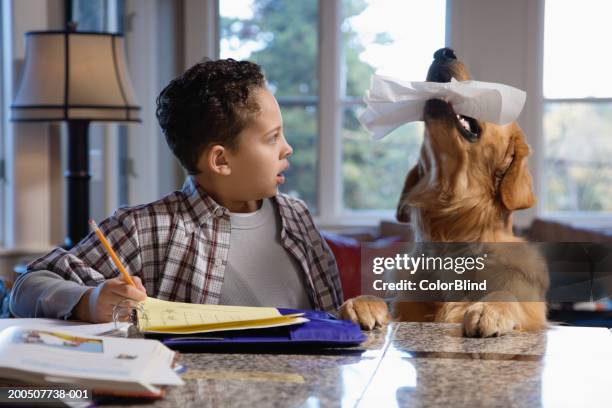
{"x":106,"y":365}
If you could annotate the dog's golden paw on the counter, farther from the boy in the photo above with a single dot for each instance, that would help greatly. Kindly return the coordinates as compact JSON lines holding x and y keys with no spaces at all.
{"x":487,"y":320}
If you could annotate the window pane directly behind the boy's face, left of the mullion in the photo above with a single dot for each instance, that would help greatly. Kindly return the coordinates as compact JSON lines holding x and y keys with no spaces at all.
{"x":282,"y":36}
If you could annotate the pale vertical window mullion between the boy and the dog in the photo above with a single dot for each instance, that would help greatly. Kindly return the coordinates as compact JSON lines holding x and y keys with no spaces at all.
{"x":330,"y":144}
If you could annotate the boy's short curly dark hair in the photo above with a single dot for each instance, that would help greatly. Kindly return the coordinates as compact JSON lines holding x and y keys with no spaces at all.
{"x":209,"y":103}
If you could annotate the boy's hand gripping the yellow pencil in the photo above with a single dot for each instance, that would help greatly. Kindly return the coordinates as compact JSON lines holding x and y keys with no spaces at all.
{"x":97,"y":304}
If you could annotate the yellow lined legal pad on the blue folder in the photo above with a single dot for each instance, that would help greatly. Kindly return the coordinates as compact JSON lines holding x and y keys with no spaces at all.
{"x":161,"y":316}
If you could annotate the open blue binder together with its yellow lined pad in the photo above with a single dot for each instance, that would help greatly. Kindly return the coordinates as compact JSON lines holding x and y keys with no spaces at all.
{"x":197,"y":327}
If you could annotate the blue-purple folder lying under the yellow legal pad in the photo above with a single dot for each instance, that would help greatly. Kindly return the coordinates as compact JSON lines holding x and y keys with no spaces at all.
{"x":323,"y":330}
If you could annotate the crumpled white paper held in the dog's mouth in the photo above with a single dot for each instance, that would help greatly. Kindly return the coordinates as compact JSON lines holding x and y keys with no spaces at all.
{"x":392,"y":102}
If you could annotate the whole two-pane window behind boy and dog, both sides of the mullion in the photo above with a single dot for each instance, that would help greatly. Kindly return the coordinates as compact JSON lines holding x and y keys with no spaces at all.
{"x":284,"y":35}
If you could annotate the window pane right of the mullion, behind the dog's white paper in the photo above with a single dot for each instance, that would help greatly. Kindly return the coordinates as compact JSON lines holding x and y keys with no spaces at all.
{"x":375,"y":40}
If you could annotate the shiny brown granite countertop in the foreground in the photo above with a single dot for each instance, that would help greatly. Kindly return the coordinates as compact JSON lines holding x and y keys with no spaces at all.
{"x":411,"y":364}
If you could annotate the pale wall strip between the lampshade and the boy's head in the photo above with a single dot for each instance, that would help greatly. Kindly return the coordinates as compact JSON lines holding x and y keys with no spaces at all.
{"x":155,"y":55}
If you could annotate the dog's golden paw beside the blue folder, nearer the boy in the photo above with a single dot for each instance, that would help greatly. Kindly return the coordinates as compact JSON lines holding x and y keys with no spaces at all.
{"x":367,"y":311}
